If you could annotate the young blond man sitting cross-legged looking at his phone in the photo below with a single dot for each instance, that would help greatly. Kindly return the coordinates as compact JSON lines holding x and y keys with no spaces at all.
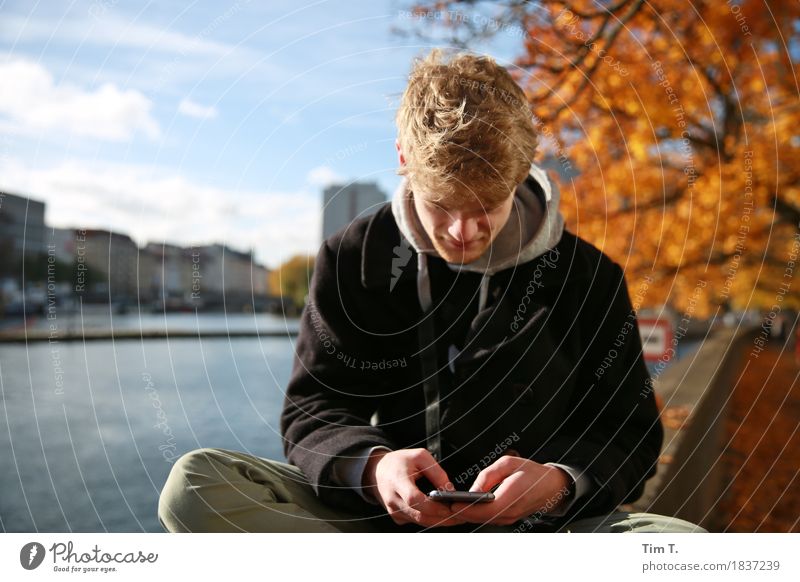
{"x":458,"y":339}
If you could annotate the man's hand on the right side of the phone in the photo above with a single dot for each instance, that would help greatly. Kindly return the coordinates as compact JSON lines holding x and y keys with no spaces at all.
{"x":526,"y":487}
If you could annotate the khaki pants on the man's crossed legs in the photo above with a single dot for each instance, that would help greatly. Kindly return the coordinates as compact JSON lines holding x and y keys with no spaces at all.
{"x":217,"y":490}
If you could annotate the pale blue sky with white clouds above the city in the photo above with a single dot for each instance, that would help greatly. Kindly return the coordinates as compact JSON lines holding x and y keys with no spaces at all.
{"x":193,"y":123}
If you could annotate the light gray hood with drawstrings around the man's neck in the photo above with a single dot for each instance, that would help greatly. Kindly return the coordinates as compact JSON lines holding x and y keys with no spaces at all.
{"x":533,"y":228}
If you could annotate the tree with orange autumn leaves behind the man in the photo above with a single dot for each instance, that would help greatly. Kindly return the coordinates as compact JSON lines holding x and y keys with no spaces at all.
{"x":673,"y":126}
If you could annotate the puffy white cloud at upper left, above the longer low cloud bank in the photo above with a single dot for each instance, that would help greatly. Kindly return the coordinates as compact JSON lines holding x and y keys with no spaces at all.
{"x":33,"y":103}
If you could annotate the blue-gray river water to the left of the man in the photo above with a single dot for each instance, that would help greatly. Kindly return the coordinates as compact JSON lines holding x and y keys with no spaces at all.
{"x":88,"y":432}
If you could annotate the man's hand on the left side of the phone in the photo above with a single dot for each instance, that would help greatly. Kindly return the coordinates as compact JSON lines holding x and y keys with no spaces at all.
{"x":390,"y":477}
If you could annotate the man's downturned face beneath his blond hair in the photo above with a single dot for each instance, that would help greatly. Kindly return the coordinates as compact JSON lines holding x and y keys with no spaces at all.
{"x":461,"y":235}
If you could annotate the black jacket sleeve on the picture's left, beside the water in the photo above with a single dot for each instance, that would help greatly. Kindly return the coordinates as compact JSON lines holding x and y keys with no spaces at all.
{"x":328,"y":403}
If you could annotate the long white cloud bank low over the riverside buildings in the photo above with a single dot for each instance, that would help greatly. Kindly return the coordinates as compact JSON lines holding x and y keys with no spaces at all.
{"x":151,"y":205}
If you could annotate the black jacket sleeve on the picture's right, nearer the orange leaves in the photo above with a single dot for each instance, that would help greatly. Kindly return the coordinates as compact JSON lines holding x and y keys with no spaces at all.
{"x":613,"y":430}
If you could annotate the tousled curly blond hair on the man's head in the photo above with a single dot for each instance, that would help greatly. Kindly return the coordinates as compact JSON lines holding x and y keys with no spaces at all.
{"x":465,"y":129}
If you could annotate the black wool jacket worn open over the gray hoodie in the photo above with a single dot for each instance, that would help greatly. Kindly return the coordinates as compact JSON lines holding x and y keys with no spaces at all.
{"x":553,"y":361}
